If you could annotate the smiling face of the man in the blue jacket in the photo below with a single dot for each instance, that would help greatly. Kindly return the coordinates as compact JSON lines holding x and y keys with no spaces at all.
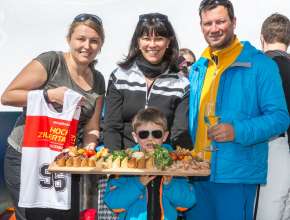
{"x":217,"y":27}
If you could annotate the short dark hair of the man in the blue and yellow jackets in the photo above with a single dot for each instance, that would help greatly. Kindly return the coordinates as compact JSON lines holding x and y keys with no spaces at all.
{"x":206,"y":5}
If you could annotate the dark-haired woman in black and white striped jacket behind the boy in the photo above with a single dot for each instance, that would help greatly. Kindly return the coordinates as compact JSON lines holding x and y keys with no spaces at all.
{"x":147,"y":77}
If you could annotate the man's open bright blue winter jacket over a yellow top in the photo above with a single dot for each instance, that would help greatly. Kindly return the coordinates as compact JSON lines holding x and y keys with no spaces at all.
{"x":251,"y":98}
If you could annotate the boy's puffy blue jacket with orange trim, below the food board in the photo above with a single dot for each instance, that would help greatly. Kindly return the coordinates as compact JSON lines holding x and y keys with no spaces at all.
{"x":128,"y":196}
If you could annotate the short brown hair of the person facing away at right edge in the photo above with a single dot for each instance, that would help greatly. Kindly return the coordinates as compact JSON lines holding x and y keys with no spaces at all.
{"x":276,"y":28}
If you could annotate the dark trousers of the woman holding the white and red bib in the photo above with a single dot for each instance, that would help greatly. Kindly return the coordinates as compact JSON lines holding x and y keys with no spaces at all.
{"x":12,"y":167}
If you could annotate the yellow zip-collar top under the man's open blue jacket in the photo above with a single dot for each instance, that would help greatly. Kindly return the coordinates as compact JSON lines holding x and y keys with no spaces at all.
{"x":214,"y":71}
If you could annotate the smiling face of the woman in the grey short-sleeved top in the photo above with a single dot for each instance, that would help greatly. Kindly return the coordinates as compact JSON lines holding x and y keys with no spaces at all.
{"x":84,"y":44}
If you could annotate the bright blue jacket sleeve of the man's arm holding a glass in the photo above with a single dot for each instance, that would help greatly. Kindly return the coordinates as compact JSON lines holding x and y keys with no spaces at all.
{"x":274,"y":118}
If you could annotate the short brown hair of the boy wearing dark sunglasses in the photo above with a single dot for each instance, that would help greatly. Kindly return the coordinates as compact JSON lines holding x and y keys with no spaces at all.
{"x":149,"y":115}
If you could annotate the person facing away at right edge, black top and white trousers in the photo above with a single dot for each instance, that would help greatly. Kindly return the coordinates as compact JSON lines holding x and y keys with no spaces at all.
{"x":274,"y":197}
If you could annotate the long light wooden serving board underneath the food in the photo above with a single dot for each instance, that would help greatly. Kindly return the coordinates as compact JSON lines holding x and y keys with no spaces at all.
{"x":129,"y":171}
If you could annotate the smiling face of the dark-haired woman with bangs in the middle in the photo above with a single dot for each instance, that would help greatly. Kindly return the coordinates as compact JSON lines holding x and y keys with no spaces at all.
{"x":153,"y":47}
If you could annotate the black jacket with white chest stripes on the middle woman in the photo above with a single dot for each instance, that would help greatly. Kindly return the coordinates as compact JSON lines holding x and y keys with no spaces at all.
{"x":127,"y":93}
